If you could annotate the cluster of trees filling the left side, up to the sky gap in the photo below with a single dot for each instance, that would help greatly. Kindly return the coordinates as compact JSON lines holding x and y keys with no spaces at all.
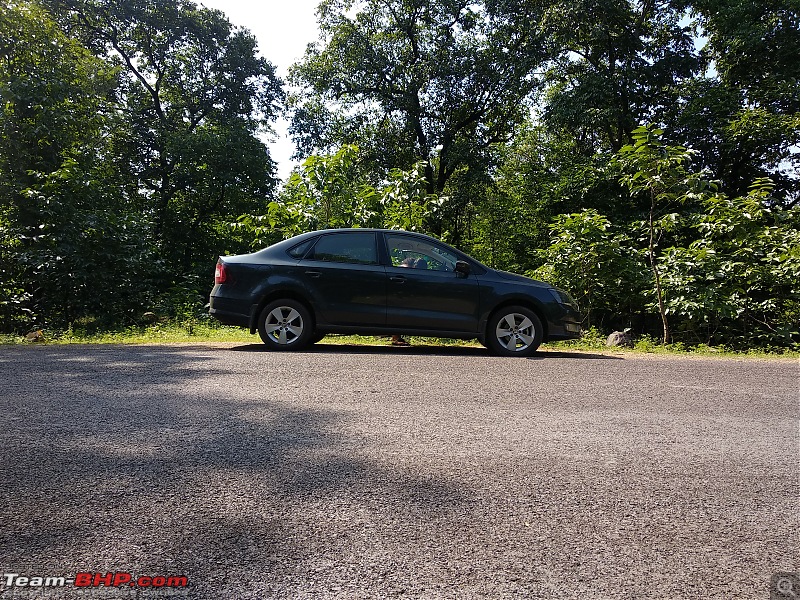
{"x":129,"y":141}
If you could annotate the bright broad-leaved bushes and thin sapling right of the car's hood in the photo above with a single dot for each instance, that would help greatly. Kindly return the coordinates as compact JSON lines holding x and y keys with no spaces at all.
{"x":729,"y":277}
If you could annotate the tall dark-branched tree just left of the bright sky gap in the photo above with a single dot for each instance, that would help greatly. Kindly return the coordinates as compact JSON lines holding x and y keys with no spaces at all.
{"x":195,"y":95}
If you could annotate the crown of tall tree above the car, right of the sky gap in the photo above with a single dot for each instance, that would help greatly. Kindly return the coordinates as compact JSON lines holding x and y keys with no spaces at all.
{"x":406,"y":79}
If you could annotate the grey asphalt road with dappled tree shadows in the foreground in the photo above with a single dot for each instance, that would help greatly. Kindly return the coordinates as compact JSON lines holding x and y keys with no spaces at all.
{"x":391,"y":472}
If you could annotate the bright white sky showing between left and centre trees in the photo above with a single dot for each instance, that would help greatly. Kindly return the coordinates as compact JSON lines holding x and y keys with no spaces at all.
{"x":283,"y":28}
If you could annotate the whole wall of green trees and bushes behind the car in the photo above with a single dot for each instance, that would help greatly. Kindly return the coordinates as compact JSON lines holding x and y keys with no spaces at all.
{"x":643,"y":155}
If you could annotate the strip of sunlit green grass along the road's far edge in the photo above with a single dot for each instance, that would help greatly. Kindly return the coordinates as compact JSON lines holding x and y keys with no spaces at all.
{"x":200,"y":332}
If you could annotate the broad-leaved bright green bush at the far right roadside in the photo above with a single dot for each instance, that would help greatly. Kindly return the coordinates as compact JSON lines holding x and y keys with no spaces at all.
{"x":739,"y":279}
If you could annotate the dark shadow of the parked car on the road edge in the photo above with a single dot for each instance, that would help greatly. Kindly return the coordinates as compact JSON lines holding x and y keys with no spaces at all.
{"x":426,"y":350}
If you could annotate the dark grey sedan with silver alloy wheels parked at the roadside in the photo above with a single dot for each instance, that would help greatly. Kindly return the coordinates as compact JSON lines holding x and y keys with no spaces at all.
{"x":385,"y":282}
